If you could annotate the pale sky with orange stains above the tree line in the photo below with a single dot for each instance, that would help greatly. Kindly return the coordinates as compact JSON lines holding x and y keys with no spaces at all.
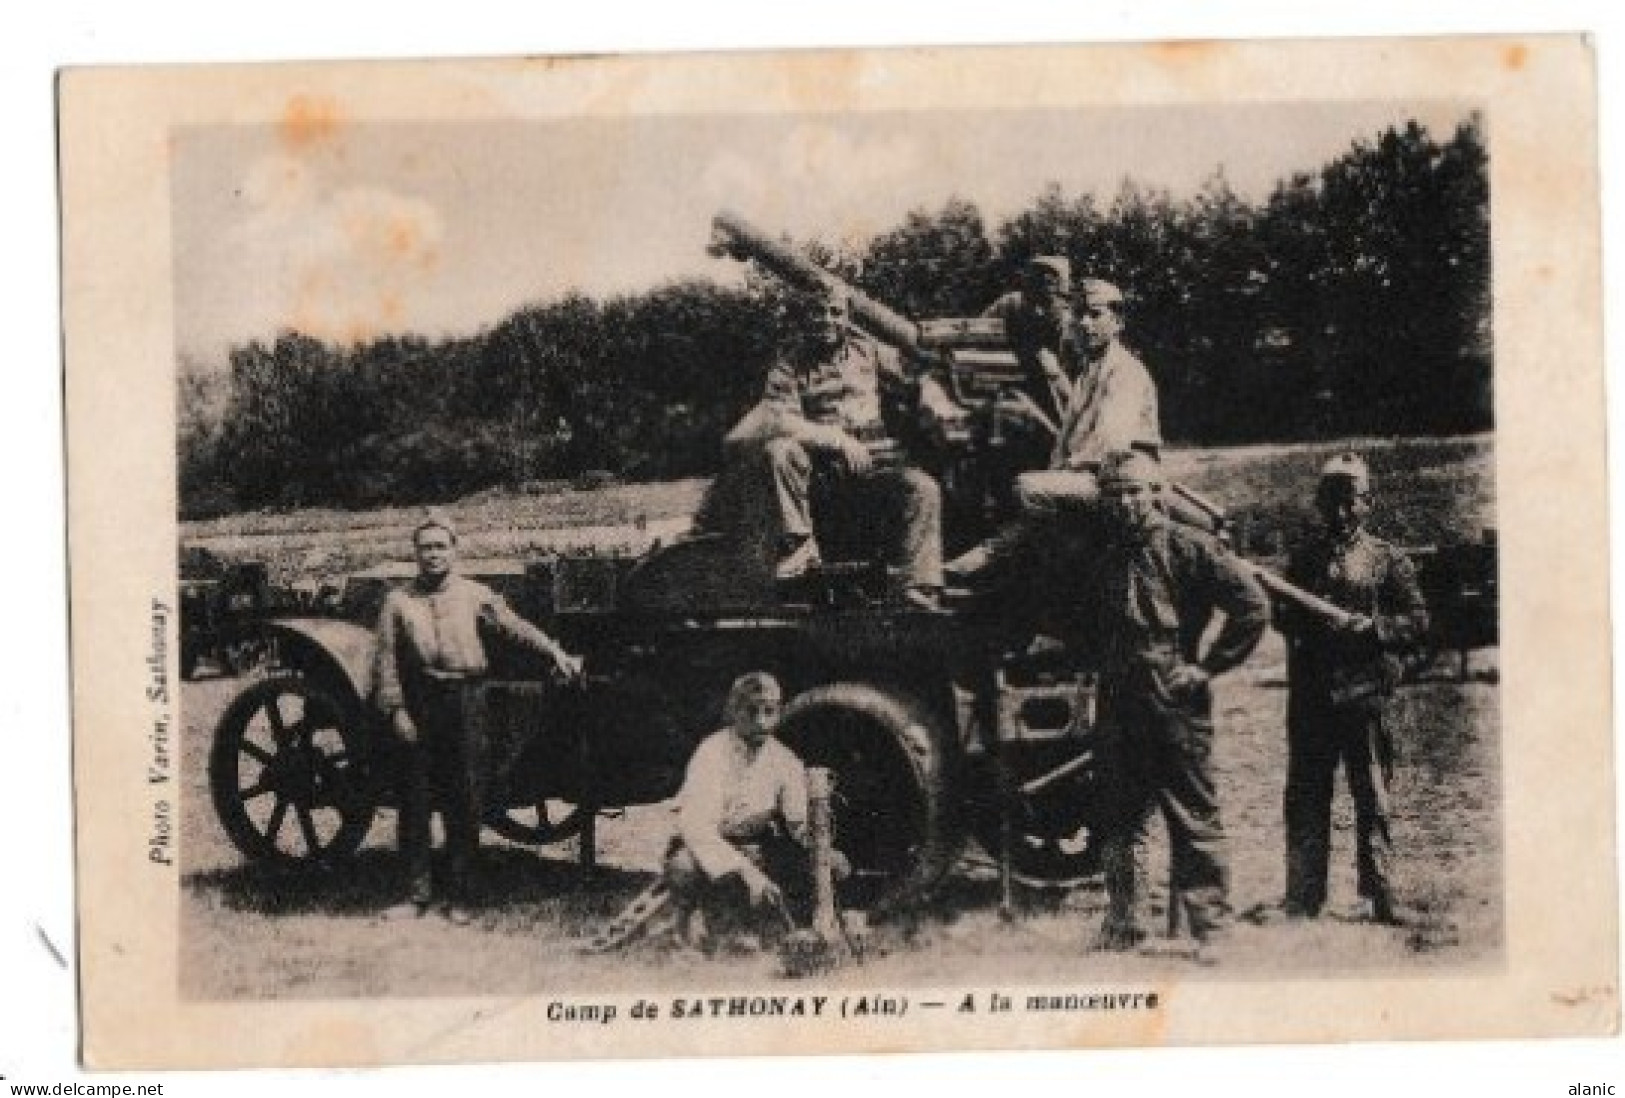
{"x":446,"y":228}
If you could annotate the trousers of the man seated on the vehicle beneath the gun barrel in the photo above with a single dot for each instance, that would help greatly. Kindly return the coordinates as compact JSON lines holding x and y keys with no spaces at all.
{"x":768,"y":488}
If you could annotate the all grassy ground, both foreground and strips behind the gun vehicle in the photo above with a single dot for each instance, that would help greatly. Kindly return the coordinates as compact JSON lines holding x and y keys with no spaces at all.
{"x":251,"y":936}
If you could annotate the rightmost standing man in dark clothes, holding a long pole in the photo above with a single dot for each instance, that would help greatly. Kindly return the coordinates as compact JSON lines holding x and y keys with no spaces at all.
{"x":1343,"y":678}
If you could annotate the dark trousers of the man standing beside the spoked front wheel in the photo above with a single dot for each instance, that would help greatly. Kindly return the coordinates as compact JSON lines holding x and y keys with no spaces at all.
{"x":444,"y":767}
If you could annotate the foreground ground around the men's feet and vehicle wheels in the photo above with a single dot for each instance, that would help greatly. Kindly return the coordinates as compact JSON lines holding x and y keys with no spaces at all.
{"x":253,"y":936}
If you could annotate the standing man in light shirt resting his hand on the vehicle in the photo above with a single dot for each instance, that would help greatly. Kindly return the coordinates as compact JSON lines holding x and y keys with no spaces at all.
{"x":430,"y":660}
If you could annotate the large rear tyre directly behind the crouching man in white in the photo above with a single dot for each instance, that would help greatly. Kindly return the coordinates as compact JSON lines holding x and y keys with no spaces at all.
{"x":888,"y":754}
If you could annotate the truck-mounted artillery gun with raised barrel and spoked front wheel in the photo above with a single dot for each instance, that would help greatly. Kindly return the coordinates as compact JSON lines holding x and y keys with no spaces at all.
{"x":937,"y":725}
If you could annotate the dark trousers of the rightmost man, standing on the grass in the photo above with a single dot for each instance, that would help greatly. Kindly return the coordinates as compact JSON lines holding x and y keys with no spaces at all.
{"x":1320,"y":737}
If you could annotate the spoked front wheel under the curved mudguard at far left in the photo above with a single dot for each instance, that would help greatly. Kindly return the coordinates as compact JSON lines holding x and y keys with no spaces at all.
{"x":288,"y":774}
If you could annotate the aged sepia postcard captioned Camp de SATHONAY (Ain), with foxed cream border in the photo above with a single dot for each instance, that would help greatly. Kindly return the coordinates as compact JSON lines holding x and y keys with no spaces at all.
{"x":839,"y":551}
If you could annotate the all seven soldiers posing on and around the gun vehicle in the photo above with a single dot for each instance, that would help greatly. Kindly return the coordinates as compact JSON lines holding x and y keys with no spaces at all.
{"x":1153,"y":586}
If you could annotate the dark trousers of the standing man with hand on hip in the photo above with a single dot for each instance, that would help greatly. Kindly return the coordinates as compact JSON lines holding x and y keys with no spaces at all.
{"x":1158,"y":756}
